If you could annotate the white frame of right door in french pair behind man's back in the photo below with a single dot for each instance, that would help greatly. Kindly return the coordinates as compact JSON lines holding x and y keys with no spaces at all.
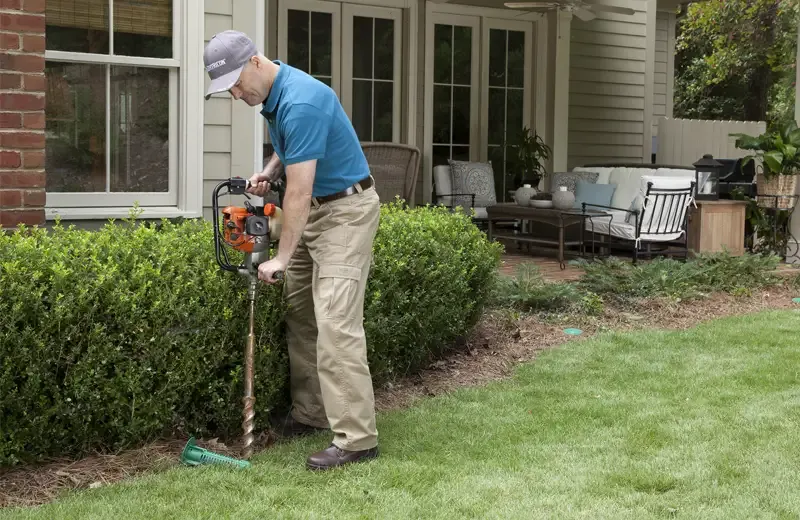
{"x":348,"y":12}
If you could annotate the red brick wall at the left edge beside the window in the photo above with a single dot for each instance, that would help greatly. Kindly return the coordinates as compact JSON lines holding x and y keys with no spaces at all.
{"x":22,"y":100}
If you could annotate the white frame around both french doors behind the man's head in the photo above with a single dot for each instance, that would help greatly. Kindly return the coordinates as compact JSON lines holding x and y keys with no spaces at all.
{"x":406,"y":67}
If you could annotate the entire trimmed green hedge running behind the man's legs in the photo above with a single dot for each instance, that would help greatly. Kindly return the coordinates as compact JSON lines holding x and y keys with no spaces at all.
{"x":114,"y":337}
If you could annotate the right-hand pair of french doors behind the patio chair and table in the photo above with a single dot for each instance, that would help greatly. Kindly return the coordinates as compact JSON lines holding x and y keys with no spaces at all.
{"x":478,"y":91}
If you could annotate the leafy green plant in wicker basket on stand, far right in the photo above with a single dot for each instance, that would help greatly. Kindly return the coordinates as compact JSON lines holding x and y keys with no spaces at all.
{"x":778,"y":152}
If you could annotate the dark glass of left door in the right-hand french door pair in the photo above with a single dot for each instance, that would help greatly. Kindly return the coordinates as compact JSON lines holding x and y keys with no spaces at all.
{"x":452,"y":90}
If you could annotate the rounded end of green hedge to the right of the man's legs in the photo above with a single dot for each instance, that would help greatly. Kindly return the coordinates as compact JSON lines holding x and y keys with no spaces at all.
{"x":432,"y":276}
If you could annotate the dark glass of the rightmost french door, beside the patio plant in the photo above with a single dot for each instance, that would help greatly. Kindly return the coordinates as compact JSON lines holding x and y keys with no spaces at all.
{"x":505,"y":114}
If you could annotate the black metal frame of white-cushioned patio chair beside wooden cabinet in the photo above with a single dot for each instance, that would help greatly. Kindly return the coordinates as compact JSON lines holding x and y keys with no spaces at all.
{"x":679,"y":225}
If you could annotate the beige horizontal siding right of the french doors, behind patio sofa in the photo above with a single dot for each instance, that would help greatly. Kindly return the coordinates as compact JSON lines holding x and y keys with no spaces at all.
{"x":609,"y":103}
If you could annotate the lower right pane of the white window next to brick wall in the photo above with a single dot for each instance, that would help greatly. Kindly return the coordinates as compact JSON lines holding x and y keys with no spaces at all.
{"x":139,"y":129}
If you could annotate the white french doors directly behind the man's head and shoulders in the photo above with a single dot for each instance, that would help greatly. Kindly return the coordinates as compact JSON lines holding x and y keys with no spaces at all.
{"x":356,"y":50}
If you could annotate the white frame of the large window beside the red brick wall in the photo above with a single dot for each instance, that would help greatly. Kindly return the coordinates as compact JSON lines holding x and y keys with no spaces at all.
{"x":185,"y":194}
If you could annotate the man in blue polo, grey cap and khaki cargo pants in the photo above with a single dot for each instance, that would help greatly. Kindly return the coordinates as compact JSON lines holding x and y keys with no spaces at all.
{"x":330,"y":217}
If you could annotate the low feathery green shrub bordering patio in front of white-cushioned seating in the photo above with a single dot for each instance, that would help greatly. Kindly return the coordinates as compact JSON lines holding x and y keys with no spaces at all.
{"x":663,"y":277}
